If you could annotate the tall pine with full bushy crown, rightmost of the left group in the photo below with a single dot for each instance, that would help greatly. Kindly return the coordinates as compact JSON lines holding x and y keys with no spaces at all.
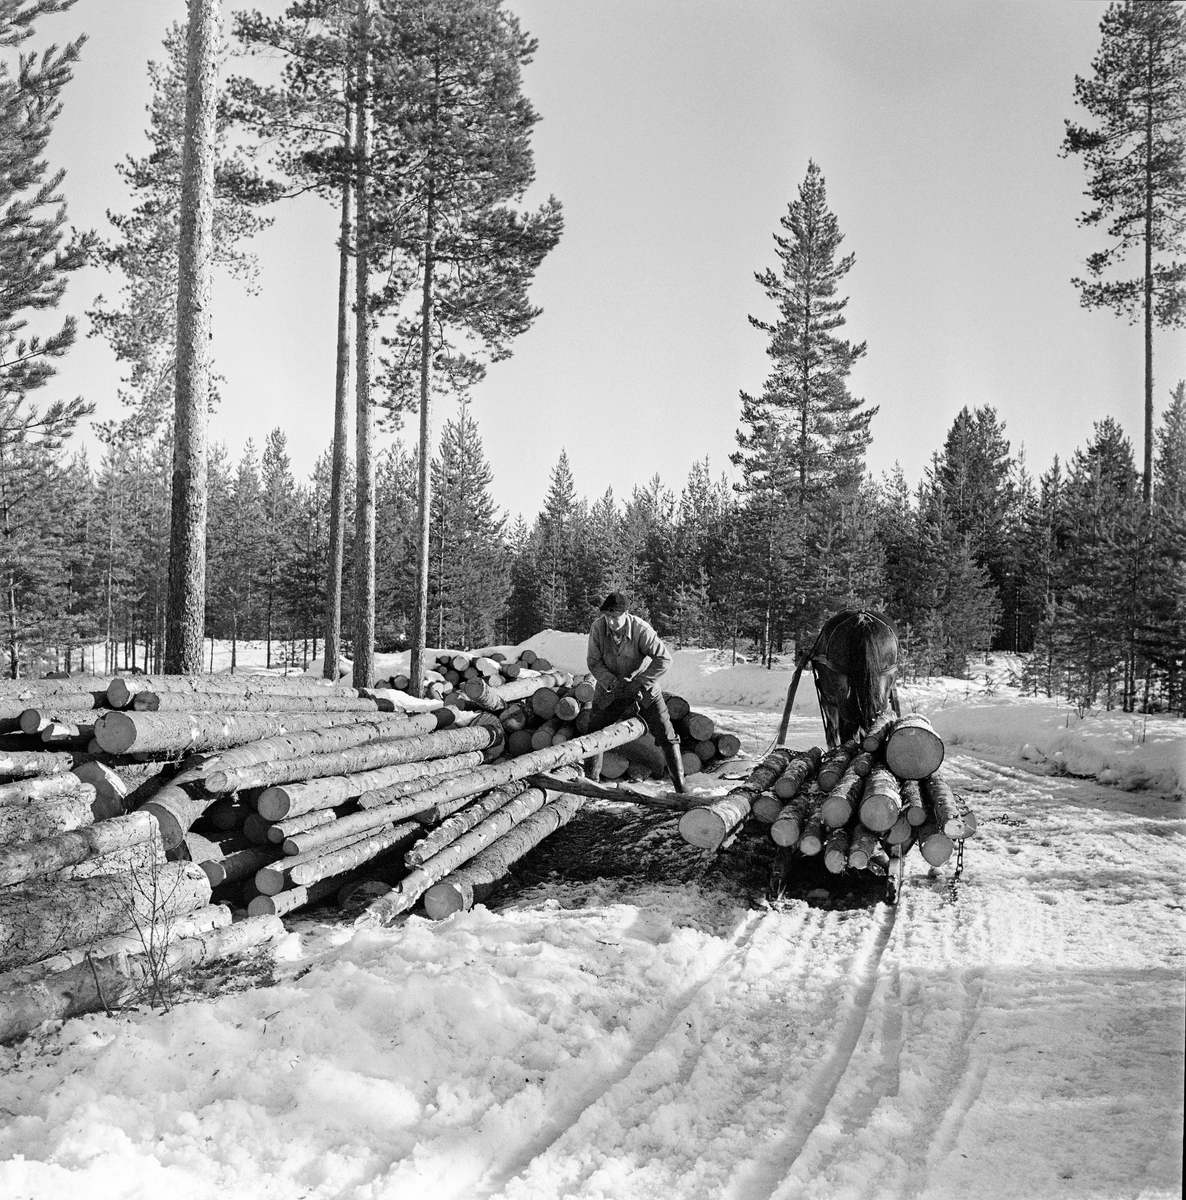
{"x":456,"y":98}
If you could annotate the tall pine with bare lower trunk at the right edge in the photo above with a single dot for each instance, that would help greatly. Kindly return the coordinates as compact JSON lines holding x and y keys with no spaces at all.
{"x":1136,"y":158}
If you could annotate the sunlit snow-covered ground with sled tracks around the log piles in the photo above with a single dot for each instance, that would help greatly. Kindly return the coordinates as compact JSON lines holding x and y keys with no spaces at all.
{"x":644,"y":1036}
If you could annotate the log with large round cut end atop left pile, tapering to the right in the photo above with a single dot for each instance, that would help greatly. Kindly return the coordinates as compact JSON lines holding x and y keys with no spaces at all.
{"x":177,"y":733}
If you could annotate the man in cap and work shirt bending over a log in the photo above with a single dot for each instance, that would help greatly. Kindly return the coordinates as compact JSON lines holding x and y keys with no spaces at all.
{"x":620,"y":644}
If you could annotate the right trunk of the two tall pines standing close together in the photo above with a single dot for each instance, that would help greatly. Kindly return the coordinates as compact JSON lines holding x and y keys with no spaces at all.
{"x":364,"y":471}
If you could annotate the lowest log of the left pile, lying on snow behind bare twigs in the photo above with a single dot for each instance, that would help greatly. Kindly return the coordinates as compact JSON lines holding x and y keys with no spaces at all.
{"x":121,"y":979}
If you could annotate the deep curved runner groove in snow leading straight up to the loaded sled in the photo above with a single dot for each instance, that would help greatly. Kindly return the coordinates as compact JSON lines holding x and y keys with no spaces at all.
{"x":770,"y":1174}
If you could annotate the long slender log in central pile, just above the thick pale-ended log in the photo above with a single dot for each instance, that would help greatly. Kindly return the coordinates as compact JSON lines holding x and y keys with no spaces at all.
{"x":369,"y":757}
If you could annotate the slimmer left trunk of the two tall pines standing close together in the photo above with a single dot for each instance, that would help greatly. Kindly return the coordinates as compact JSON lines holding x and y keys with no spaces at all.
{"x":342,"y":413}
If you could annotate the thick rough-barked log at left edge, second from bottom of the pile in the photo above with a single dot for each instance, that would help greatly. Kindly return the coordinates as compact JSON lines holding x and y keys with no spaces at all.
{"x":43,"y":917}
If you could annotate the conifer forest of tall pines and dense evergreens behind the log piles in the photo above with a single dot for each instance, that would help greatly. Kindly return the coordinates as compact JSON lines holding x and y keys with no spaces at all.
{"x":1077,"y":565}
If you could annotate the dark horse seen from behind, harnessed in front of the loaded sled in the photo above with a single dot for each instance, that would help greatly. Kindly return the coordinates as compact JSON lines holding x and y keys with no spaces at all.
{"x":855,"y":663}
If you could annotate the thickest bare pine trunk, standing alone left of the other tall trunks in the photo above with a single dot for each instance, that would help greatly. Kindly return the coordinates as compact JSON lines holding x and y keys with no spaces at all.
{"x":187,"y":603}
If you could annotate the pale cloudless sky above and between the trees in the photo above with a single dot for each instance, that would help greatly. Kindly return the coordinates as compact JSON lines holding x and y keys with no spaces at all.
{"x":675,"y":135}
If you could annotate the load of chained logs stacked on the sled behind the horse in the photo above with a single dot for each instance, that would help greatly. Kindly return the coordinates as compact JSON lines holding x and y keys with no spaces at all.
{"x":859,"y":805}
